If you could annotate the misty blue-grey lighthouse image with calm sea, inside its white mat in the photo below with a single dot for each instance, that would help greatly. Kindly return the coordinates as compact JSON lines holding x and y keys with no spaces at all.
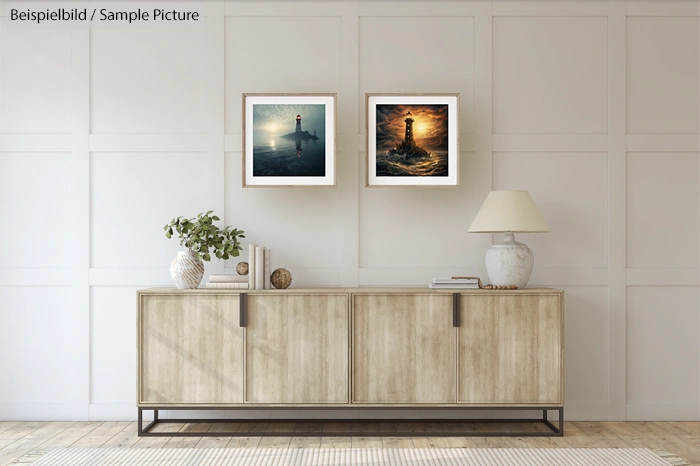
{"x":289,"y":140}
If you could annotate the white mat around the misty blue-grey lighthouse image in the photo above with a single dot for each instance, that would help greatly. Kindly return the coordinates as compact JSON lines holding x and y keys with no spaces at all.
{"x":329,"y":179}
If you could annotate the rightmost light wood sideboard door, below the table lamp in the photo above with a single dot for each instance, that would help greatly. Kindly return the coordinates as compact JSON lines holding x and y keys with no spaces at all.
{"x":511,"y":349}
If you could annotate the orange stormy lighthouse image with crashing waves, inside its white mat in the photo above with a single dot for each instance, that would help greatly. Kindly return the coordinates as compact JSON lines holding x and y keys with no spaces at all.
{"x":412,"y":140}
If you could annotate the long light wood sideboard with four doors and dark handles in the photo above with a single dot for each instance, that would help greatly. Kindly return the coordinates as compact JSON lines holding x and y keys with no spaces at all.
{"x":350,"y":348}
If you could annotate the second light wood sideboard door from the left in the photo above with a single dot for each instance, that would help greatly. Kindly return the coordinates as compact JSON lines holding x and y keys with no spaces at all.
{"x":297,"y":348}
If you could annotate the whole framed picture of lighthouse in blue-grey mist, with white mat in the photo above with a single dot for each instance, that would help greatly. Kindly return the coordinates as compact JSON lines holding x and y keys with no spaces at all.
{"x":289,"y":140}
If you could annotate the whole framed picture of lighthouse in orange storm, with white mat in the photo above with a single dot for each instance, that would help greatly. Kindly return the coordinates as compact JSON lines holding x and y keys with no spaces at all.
{"x":412,"y":140}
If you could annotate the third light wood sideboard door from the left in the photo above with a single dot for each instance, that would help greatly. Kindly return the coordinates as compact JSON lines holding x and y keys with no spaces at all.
{"x":403,"y":349}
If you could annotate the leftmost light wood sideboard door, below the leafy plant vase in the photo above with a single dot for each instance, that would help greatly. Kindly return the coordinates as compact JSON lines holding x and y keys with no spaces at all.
{"x":191,"y":349}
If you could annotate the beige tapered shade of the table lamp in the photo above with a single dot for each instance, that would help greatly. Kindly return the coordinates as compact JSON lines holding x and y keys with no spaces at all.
{"x":513,"y":211}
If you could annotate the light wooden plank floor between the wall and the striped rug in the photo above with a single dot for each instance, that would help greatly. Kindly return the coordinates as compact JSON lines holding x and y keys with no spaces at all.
{"x":20,"y":439}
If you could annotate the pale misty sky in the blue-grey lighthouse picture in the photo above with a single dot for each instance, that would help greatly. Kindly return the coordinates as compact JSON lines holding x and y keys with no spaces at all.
{"x":272,"y":121}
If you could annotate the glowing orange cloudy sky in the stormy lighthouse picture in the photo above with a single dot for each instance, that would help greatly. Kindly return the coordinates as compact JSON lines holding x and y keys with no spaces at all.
{"x":429,"y":127}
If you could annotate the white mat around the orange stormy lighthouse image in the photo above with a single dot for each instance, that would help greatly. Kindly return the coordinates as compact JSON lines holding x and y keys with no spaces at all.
{"x":452,"y":149}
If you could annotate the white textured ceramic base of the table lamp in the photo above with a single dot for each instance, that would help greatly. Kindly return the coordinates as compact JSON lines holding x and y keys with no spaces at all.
{"x":509,"y":262}
